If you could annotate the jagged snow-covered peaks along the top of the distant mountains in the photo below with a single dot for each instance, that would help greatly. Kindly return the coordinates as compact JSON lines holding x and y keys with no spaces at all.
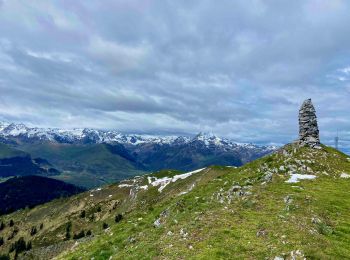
{"x":86,"y":135}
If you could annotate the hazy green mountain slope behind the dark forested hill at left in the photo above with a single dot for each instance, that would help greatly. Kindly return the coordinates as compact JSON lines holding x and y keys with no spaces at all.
{"x":84,"y":165}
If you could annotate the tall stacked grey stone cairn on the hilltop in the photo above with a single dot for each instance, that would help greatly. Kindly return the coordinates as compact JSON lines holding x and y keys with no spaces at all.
{"x":308,"y":129}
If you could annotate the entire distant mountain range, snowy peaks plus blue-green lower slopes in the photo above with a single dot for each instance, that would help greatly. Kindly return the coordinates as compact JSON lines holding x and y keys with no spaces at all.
{"x":90,"y":157}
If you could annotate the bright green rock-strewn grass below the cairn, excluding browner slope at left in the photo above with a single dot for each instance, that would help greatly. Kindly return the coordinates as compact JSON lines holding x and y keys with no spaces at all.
{"x":260,"y":225}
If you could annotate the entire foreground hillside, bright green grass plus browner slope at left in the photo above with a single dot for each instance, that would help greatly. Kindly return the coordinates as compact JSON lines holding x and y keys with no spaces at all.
{"x":250,"y":212}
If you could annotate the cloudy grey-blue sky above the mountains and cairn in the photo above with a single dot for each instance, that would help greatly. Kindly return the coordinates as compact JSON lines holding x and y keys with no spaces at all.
{"x":239,"y":69}
